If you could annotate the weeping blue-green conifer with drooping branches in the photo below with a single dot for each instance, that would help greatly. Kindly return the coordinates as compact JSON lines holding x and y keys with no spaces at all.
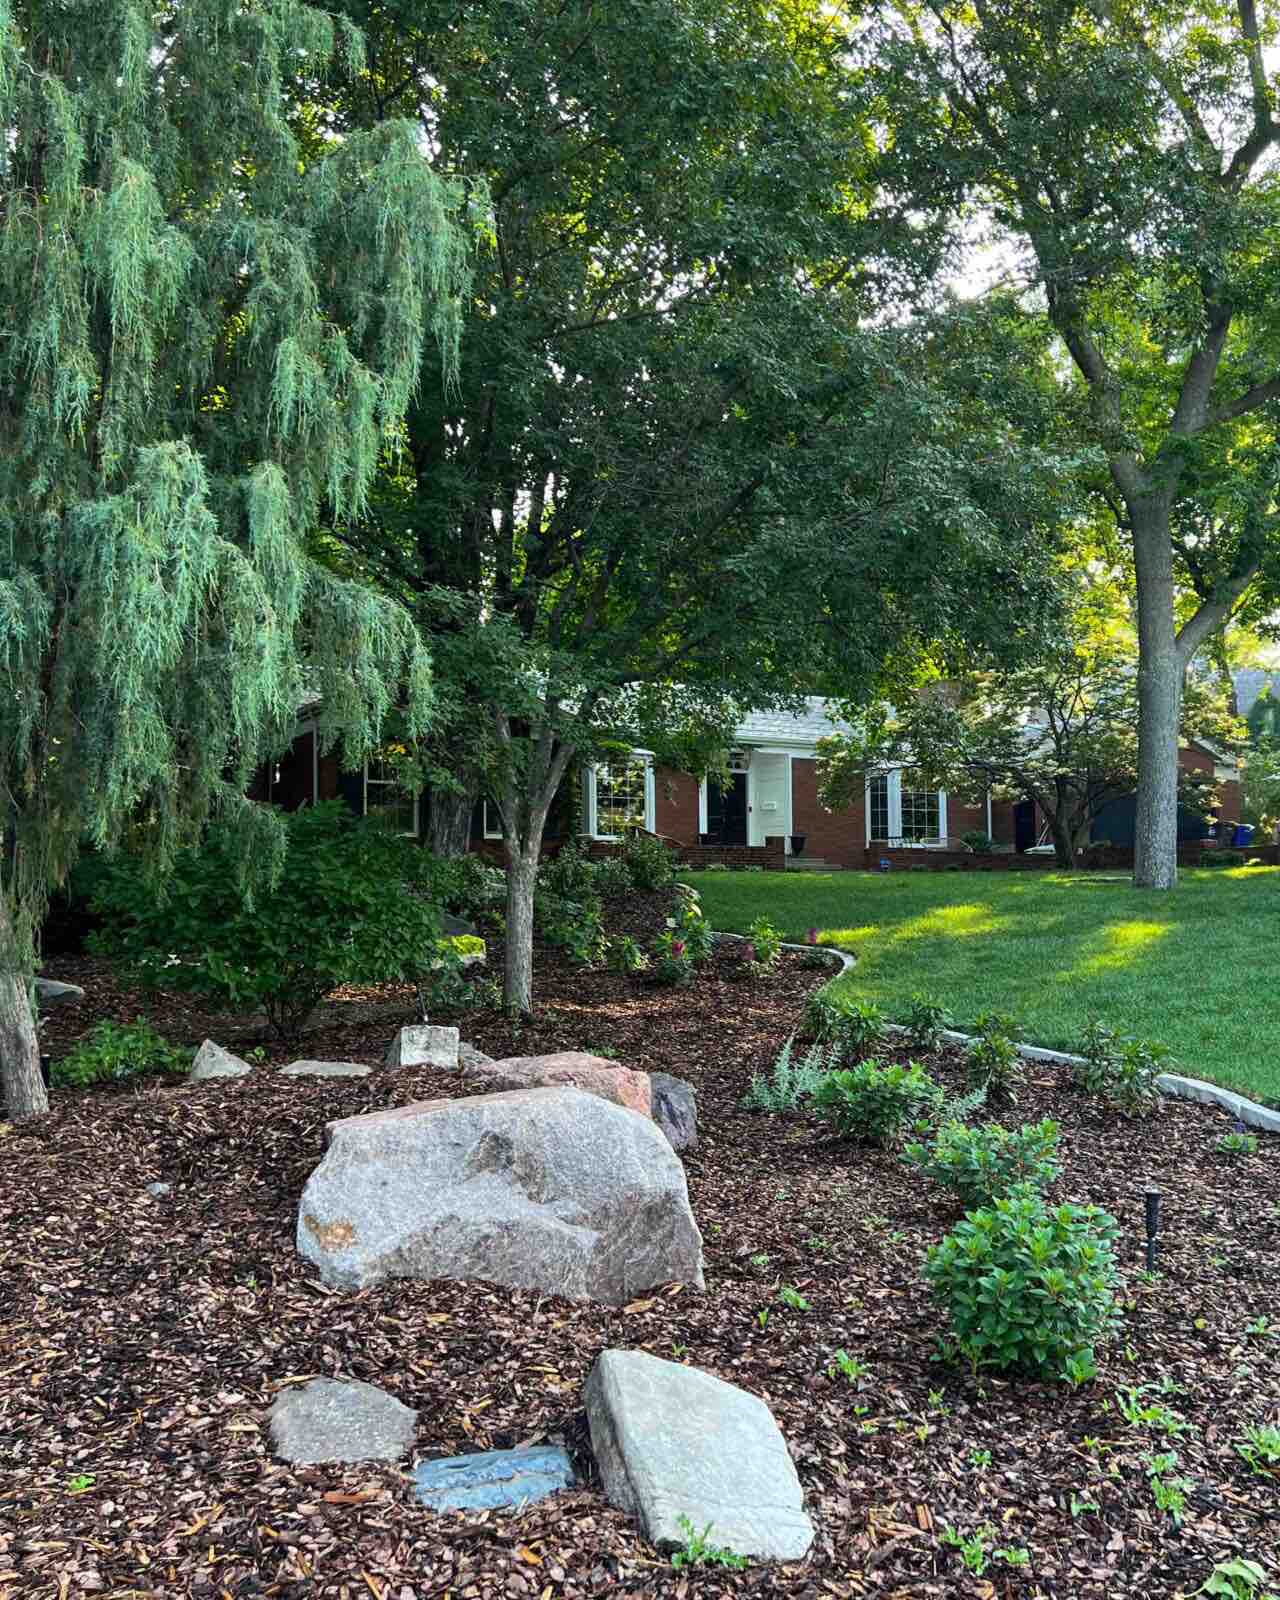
{"x":207,"y":346}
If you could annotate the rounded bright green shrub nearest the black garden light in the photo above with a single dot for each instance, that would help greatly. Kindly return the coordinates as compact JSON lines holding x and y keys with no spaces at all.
{"x":1028,"y":1289}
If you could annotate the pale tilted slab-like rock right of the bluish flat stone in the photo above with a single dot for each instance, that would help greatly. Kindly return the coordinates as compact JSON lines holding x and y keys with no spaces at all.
{"x":678,"y":1444}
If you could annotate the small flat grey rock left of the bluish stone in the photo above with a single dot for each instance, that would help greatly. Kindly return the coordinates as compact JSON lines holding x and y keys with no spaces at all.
{"x":340,"y":1420}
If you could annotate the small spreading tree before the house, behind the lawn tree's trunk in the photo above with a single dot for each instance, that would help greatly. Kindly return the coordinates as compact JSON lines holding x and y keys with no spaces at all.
{"x":1060,"y":732}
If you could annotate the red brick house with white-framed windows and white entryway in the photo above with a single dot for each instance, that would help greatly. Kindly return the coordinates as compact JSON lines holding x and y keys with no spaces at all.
{"x":766,"y":815}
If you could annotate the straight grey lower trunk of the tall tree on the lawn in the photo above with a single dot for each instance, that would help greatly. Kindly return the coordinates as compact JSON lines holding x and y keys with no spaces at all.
{"x":1159,"y":700}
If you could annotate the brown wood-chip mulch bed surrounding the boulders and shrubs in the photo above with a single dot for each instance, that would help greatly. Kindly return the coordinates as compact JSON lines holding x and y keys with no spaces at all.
{"x":142,"y":1340}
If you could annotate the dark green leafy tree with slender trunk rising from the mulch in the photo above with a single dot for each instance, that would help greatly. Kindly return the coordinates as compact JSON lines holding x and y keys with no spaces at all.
{"x":678,"y":476}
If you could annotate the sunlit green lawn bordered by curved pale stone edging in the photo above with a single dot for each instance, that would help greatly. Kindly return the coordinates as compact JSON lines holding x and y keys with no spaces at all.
{"x":1194,"y":970}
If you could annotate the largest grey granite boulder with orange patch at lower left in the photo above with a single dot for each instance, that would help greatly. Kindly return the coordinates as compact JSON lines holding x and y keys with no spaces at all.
{"x":545,"y":1190}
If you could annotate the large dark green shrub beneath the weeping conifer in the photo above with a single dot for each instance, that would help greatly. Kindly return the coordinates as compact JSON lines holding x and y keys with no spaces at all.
{"x":350,"y":906}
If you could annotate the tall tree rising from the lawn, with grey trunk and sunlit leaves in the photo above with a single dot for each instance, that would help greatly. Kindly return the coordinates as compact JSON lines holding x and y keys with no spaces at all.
{"x":1126,"y":158}
